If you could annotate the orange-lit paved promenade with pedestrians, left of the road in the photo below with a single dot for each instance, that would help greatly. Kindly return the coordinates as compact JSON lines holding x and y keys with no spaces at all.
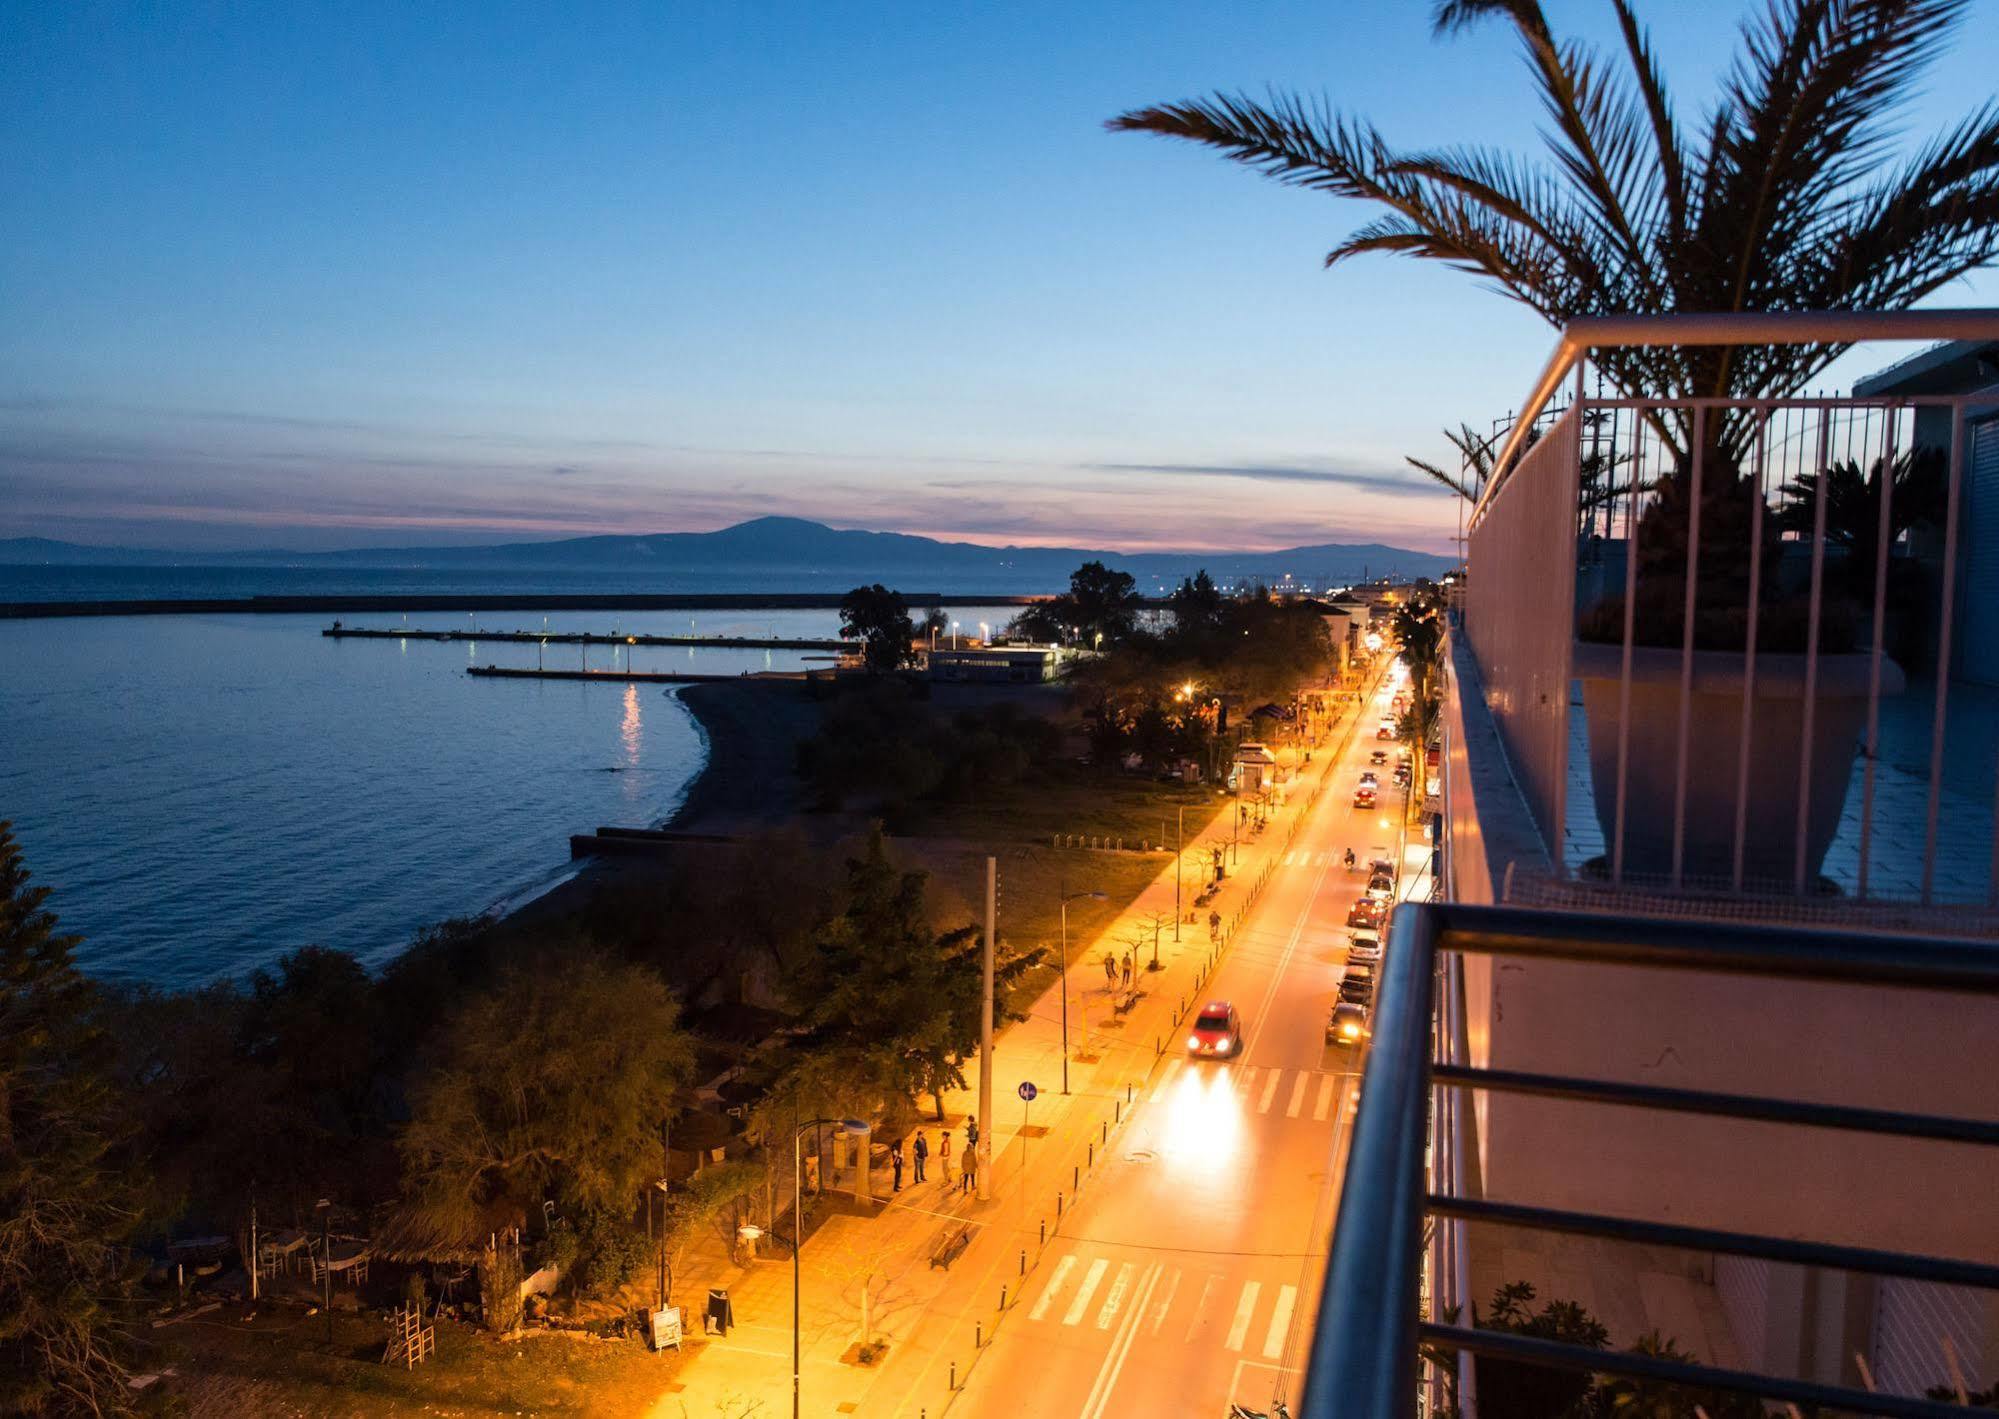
{"x":939,"y":1322}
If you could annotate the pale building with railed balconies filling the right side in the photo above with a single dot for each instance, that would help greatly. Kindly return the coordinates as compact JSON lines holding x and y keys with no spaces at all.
{"x":1694,"y":1026}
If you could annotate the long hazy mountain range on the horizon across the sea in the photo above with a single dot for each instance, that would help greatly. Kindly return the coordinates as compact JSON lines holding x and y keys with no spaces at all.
{"x":795,"y":547}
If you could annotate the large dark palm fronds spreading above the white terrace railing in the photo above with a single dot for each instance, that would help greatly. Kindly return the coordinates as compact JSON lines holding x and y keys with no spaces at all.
{"x":1770,"y":203}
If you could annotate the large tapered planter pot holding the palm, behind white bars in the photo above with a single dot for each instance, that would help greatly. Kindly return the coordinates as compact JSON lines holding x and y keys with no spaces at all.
{"x":1714,"y":742}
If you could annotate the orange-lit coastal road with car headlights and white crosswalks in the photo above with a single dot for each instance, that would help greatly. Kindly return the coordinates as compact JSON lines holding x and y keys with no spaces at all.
{"x":1188,"y":1276}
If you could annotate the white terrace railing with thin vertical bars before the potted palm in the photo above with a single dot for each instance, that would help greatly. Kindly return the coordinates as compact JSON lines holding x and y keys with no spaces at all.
{"x":1742,"y":726}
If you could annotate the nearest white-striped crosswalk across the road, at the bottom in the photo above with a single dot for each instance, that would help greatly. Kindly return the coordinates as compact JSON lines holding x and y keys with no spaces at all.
{"x":1248,"y":1316}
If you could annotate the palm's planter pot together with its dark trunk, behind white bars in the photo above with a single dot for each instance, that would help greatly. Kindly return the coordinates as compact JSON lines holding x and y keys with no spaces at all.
{"x":1784,"y":774}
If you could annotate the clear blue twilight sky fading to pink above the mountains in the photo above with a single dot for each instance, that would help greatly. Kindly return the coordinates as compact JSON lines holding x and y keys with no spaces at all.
{"x":371,"y":275}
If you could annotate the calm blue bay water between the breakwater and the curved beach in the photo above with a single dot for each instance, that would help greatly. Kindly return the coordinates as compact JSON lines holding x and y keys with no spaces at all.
{"x":209,"y":792}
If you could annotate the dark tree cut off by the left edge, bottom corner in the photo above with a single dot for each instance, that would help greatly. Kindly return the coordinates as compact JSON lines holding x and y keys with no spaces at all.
{"x":67,"y":1202}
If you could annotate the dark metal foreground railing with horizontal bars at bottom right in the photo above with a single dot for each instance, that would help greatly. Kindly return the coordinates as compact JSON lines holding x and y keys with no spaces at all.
{"x":1374,"y":1350}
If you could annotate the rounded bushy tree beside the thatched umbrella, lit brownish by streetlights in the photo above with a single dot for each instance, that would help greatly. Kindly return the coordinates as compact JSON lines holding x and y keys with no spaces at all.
{"x":551,"y":1084}
